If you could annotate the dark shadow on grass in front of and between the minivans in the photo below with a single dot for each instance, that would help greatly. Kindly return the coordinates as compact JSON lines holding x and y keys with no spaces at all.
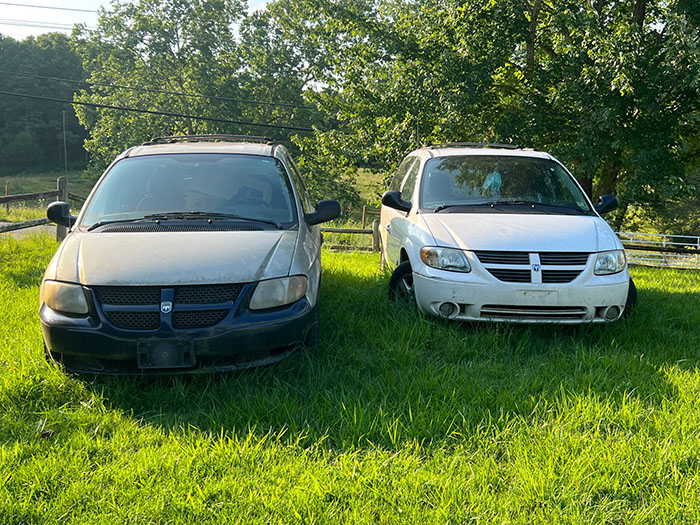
{"x":385,"y":376}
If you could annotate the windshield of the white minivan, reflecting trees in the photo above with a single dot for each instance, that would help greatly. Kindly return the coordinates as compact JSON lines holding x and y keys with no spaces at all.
{"x":472,"y":180}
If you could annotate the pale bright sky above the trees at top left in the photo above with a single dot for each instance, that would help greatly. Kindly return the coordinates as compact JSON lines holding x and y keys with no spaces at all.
{"x":19,"y":19}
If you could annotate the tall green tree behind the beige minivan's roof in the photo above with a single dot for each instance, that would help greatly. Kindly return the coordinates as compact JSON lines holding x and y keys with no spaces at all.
{"x":175,"y":45}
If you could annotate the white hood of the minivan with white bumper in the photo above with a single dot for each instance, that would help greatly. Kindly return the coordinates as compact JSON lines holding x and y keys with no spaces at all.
{"x":521,"y":232}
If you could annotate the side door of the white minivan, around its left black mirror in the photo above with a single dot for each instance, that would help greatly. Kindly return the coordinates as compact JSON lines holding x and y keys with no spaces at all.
{"x":393,"y":224}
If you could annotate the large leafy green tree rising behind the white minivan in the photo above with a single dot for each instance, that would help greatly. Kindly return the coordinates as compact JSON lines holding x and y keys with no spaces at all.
{"x":610,"y":86}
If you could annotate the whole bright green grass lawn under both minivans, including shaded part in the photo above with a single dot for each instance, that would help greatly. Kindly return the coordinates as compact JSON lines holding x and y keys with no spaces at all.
{"x":397,"y":419}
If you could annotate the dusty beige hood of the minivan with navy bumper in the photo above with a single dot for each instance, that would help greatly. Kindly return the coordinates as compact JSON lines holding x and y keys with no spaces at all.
{"x":163,"y":258}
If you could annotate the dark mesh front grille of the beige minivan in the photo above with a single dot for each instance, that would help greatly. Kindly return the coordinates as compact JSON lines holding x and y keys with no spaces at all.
{"x":199,"y":301}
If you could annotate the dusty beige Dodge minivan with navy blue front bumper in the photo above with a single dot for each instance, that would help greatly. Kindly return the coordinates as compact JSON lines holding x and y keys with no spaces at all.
{"x":191,"y":253}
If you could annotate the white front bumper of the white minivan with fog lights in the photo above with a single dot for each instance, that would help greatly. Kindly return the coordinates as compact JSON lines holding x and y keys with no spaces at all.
{"x":581,"y":301}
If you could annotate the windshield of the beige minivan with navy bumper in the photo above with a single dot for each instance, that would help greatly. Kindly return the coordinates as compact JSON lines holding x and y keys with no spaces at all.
{"x":250,"y":186}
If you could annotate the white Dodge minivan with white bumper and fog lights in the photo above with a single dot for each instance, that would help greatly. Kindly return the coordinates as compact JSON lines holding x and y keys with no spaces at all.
{"x":501,"y":233}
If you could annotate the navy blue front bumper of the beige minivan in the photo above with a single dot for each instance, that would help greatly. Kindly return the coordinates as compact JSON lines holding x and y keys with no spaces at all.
{"x":247,"y":340}
